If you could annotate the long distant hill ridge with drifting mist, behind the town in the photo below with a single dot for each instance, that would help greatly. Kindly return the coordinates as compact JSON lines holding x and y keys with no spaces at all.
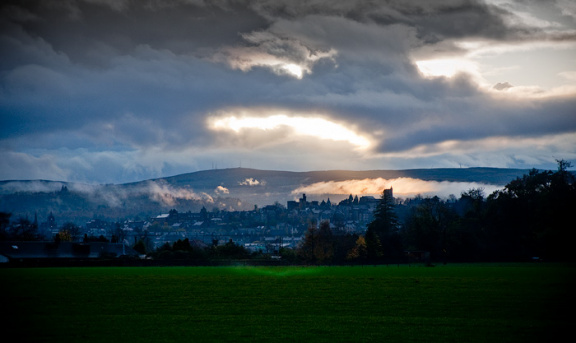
{"x":231,"y":189}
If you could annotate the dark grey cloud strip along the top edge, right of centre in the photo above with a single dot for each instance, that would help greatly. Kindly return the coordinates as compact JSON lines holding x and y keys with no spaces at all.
{"x":433,"y":21}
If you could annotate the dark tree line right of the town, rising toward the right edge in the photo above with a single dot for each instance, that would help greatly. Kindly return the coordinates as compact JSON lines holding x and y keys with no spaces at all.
{"x":531,"y":218}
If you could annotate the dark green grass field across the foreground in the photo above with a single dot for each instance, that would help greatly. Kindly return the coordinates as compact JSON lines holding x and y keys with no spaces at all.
{"x":452,"y":303}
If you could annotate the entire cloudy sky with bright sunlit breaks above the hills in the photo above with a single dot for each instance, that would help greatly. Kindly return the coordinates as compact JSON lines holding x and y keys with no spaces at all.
{"x":113,"y":91}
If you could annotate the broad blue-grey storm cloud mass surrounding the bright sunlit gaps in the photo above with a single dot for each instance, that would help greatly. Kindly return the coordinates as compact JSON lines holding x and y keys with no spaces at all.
{"x":110,"y":83}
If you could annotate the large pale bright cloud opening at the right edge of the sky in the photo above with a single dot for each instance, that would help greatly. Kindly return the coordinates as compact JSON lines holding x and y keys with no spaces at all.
{"x":490,"y":62}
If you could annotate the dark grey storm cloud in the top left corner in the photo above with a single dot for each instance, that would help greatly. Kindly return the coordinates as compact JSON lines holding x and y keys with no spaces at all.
{"x":92,"y":32}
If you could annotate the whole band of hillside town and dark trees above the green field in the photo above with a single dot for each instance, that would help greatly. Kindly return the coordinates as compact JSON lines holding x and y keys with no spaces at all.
{"x":526,"y":220}
